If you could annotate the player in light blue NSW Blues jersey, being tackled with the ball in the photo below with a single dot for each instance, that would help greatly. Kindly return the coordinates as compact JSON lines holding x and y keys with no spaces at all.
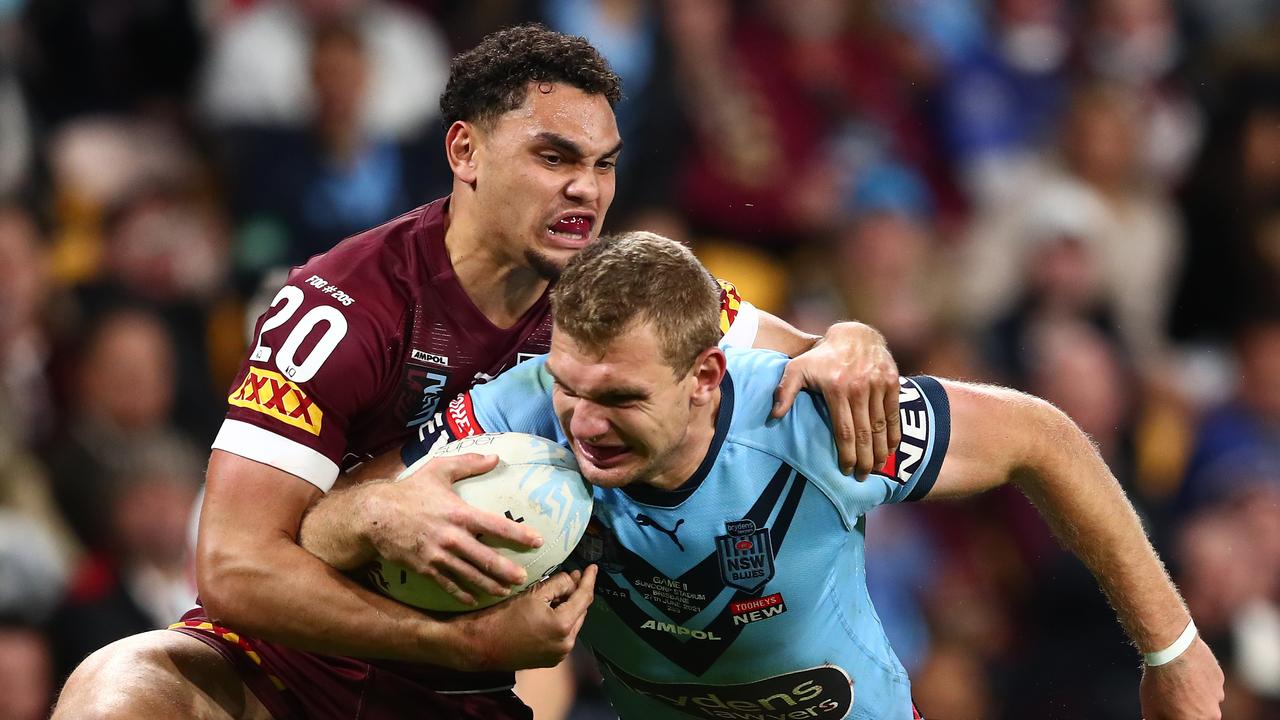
{"x":732,"y":548}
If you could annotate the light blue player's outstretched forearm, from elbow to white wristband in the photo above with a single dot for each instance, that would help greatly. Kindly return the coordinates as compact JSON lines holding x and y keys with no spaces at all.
{"x":1094,"y":518}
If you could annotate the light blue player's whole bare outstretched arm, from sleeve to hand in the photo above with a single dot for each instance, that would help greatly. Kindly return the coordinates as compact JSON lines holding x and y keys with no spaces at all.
{"x":1002,"y":436}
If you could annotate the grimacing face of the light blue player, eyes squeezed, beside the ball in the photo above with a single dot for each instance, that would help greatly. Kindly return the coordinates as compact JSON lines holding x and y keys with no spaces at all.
{"x":625,"y":413}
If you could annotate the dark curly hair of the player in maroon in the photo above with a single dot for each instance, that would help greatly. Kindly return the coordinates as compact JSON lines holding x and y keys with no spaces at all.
{"x":493,"y":78}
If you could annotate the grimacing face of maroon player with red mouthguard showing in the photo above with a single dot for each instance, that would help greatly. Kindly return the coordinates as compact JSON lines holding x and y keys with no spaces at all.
{"x":546,"y":174}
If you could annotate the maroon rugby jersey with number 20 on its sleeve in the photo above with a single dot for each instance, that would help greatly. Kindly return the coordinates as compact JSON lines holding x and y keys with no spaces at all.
{"x":362,"y":347}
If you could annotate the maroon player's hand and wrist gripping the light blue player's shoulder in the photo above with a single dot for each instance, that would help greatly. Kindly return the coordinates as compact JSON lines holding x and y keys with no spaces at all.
{"x":852,"y":367}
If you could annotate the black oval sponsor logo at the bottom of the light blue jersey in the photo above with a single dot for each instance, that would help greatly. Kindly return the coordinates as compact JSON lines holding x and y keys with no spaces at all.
{"x":824,"y":692}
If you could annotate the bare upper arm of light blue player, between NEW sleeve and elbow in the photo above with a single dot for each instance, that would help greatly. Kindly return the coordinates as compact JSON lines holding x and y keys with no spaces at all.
{"x":994,"y":431}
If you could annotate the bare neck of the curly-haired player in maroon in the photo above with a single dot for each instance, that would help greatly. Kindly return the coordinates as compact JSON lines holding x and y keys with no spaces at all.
{"x":504,"y":289}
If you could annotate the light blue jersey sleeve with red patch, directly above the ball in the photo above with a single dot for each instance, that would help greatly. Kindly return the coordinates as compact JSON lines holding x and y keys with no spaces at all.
{"x":519,"y":400}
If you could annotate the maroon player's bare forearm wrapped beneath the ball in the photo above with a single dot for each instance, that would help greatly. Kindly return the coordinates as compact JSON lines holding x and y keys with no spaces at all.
{"x":281,"y":593}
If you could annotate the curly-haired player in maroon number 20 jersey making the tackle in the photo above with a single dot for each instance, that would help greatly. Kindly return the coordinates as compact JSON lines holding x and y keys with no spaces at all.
{"x":360,"y":348}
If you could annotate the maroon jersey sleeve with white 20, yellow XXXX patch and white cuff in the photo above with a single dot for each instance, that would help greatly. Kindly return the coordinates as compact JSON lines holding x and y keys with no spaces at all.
{"x":318,"y":361}
